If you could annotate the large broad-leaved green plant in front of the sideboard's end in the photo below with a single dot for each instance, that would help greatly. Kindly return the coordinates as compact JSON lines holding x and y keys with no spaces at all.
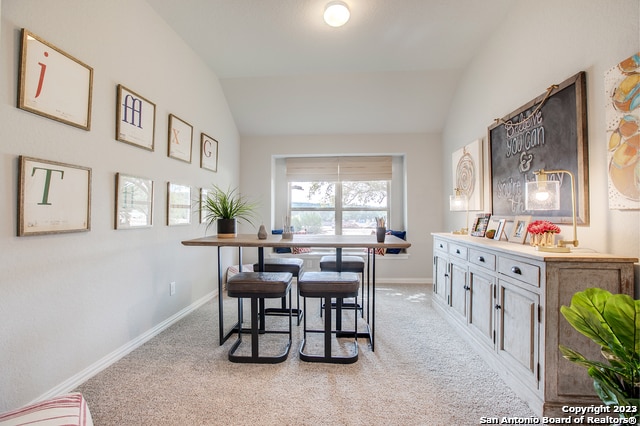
{"x":613,"y":322}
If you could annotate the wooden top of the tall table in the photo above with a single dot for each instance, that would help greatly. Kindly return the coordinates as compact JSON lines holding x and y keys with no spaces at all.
{"x":301,"y":240}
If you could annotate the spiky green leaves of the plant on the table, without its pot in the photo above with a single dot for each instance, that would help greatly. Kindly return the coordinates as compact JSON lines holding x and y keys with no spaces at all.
{"x":228,"y":204}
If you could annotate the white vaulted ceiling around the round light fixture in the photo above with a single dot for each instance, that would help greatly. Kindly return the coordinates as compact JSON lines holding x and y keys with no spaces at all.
{"x":393,"y":68}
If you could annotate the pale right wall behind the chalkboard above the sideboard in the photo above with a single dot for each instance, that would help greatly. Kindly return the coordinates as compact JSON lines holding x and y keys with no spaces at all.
{"x":541,"y":43}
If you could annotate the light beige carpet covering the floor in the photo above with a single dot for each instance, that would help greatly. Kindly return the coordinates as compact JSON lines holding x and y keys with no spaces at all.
{"x":421,"y":373}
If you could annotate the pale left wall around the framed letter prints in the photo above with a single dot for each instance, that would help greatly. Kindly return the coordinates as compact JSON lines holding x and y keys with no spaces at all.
{"x":68,"y":300}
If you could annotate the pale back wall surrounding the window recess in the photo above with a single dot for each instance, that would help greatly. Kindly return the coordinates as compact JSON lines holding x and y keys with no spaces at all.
{"x":423,"y":184}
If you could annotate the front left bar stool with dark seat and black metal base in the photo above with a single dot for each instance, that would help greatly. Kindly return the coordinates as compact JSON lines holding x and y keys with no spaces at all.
{"x":257,"y":286}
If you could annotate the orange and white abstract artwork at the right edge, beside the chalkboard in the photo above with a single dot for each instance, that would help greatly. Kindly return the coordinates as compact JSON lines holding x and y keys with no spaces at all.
{"x":622,"y":112}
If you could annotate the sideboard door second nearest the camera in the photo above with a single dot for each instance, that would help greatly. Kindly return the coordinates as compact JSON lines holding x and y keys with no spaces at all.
{"x":482,"y":306}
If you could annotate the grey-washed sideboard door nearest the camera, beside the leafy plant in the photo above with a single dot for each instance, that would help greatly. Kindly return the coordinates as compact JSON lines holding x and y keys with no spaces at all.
{"x":518,"y":331}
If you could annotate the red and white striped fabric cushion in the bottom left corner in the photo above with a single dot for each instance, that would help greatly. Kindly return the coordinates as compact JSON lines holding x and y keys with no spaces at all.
{"x":67,"y":410}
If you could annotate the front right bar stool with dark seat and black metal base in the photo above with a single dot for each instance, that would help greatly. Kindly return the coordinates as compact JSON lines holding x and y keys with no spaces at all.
{"x":329,"y":285}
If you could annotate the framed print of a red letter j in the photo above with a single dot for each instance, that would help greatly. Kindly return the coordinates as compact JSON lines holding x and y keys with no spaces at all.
{"x":54,"y":84}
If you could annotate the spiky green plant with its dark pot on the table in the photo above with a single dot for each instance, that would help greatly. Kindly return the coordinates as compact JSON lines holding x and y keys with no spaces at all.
{"x":227,"y":208}
